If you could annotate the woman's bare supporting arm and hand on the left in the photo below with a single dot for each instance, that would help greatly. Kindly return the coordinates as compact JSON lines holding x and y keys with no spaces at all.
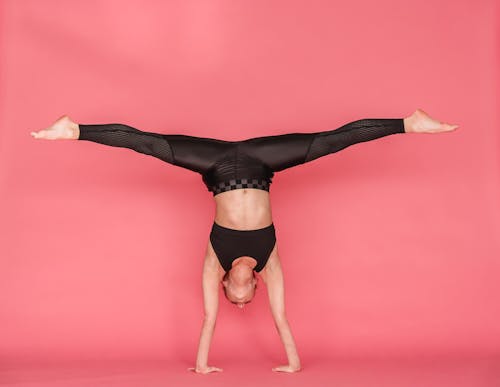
{"x":210,"y":283}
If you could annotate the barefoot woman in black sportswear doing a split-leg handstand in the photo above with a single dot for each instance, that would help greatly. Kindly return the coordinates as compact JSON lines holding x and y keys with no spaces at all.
{"x":238,"y":173}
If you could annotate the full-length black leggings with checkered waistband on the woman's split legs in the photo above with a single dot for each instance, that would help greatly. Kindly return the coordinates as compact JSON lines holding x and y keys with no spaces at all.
{"x":250,"y":163}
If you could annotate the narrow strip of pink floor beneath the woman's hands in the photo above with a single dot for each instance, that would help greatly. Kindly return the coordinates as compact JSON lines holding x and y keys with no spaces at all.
{"x":392,"y":372}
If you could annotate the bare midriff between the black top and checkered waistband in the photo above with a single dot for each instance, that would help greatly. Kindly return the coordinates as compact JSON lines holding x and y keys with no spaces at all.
{"x":243,"y":209}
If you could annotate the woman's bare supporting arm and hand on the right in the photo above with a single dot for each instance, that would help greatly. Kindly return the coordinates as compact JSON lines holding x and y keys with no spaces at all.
{"x":276,"y":292}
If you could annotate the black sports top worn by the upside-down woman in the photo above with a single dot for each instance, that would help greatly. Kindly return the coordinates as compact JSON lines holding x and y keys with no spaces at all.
{"x":230,"y":244}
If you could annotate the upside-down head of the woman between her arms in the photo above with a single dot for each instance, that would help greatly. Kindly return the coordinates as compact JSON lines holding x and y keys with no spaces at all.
{"x":239,"y":288}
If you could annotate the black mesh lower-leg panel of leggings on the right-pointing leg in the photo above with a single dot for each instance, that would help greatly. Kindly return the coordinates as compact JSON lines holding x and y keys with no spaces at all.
{"x":352,"y":133}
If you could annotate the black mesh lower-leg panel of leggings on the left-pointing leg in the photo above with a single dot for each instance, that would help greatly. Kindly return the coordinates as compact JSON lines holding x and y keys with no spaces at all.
{"x":125,"y":136}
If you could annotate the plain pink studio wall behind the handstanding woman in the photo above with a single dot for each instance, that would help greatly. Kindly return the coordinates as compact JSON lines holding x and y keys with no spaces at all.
{"x":389,"y":248}
